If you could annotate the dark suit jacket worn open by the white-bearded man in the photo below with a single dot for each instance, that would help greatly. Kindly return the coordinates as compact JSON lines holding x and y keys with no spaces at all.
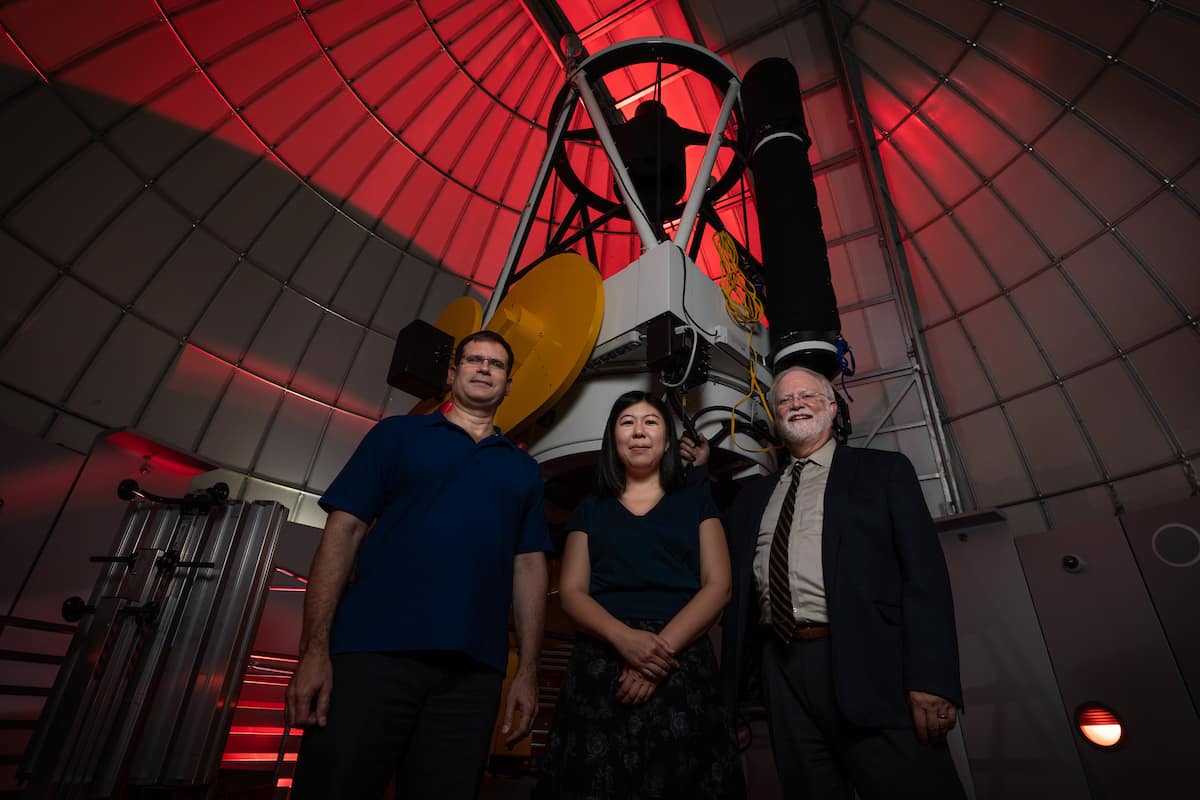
{"x":891,"y":612}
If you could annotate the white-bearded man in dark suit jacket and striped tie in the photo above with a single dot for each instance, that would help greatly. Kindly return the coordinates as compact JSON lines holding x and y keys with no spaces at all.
{"x":842,"y":613}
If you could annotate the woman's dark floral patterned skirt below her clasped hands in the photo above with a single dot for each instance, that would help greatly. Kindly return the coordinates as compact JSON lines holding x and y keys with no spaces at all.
{"x":677,"y":745}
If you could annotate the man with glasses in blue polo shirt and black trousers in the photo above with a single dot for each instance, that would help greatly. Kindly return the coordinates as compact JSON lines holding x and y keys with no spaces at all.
{"x":436,"y":525}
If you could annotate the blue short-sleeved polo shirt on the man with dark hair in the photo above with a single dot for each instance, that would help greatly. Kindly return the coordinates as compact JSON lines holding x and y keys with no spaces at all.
{"x":436,"y":570}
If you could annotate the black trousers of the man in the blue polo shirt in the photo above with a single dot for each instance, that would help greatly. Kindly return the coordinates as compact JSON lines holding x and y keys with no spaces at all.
{"x":425,"y":718}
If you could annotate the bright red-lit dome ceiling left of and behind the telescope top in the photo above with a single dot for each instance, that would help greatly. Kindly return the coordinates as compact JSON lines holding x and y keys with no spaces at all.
{"x":407,"y":117}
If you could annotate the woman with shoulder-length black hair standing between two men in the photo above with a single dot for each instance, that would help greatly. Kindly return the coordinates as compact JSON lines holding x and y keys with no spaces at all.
{"x":645,"y":575}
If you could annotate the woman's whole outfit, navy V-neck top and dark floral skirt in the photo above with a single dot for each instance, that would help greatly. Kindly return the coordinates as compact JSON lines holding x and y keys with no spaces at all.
{"x":677,"y":744}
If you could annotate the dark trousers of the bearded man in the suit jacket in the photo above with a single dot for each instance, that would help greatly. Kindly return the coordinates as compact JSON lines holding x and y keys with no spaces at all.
{"x":823,"y":756}
